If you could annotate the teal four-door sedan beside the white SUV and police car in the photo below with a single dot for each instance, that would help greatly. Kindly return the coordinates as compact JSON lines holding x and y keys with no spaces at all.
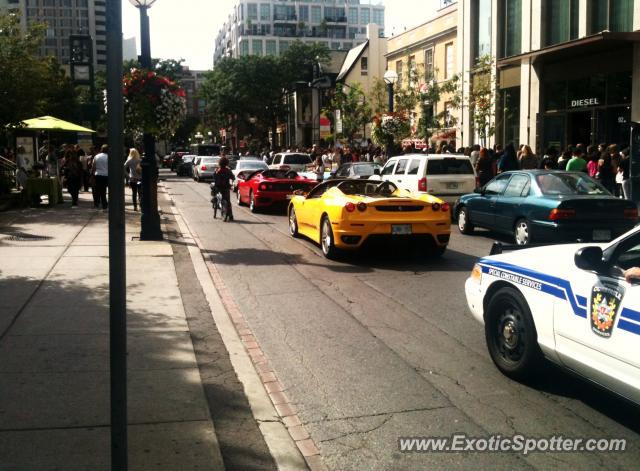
{"x":546,"y":206}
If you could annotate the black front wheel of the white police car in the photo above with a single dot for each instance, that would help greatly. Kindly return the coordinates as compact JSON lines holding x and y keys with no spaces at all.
{"x":511,"y":335}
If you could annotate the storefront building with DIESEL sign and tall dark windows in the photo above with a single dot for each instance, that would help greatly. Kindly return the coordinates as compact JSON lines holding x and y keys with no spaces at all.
{"x":565,"y":70}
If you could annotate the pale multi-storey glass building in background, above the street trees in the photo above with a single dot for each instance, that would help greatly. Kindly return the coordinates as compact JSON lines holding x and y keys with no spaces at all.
{"x":270,"y":26}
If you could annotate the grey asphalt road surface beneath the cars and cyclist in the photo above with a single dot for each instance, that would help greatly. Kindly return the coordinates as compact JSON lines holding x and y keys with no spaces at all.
{"x":381,"y":346}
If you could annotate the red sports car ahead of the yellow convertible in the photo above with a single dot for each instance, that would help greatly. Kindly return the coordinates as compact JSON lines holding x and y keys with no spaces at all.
{"x":267,"y":187}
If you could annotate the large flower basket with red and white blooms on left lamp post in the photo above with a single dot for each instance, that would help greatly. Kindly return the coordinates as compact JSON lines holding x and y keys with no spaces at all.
{"x":153,"y":104}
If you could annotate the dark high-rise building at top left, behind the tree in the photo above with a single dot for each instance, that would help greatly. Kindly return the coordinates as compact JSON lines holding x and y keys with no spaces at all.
{"x":63,"y":19}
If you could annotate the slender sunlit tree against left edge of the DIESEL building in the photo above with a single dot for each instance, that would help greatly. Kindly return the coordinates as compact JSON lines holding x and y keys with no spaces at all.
{"x":482,"y":98}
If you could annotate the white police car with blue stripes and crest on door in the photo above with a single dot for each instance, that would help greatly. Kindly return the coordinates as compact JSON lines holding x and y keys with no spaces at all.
{"x":568,"y":303}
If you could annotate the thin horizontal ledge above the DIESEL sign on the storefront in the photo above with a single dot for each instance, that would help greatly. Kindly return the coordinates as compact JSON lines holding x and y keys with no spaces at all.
{"x":600,"y":42}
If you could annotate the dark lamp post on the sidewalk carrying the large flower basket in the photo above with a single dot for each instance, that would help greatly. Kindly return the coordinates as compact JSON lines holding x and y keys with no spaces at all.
{"x":150,"y":218}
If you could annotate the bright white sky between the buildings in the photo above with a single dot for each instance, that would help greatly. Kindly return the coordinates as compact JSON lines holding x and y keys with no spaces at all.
{"x":186,"y":29}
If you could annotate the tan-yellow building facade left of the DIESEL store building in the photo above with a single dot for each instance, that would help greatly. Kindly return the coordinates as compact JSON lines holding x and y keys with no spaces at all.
{"x":426,"y":53}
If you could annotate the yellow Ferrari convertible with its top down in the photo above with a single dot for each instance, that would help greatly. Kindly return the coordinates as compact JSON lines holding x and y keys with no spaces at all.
{"x":344,"y":214}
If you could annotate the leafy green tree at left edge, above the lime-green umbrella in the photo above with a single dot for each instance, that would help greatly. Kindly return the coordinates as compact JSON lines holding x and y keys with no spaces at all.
{"x":30,"y":85}
